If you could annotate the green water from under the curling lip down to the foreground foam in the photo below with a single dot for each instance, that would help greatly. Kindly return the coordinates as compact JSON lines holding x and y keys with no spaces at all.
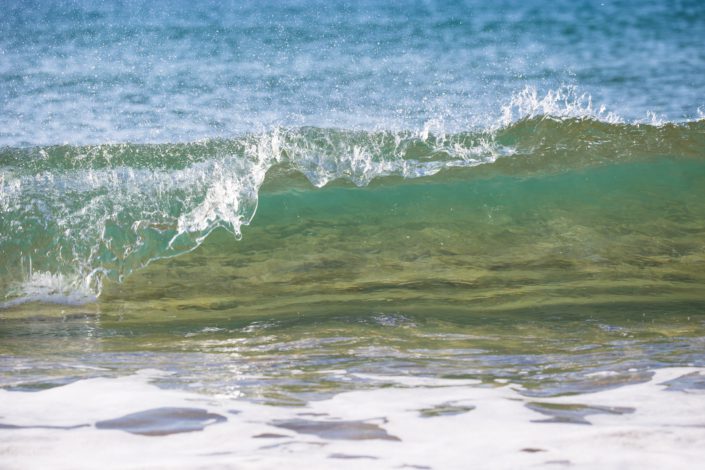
{"x":542,"y":279}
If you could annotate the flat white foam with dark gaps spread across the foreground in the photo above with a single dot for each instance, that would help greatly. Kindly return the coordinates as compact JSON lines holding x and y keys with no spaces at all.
{"x":665,"y":430}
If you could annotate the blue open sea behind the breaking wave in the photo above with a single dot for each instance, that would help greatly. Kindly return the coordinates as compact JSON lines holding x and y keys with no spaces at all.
{"x":92,"y":72}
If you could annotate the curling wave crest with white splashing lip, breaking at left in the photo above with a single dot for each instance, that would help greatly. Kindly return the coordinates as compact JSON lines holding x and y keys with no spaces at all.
{"x":73,"y":216}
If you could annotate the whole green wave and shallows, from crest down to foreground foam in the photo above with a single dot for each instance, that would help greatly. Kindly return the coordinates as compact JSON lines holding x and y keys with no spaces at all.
{"x":579,"y":260}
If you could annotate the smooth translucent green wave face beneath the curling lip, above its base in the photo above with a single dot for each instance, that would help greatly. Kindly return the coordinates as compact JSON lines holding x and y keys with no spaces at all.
{"x":617,"y":234}
